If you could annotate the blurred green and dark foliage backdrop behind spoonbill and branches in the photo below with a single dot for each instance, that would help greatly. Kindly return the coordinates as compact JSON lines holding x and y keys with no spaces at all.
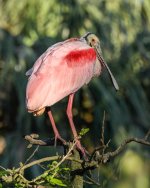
{"x":27,"y":29}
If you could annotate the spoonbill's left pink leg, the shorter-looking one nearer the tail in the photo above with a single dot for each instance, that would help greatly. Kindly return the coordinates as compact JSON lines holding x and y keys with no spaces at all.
{"x":57,"y":135}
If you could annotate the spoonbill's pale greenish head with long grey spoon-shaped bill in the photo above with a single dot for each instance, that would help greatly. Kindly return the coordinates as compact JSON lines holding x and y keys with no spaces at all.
{"x":93,"y":41}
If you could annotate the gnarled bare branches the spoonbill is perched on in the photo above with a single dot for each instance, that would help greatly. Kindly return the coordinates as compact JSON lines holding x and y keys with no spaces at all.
{"x":98,"y":156}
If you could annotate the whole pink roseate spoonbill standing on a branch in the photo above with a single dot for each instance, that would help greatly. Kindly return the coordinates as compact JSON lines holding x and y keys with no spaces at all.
{"x":61,"y":71}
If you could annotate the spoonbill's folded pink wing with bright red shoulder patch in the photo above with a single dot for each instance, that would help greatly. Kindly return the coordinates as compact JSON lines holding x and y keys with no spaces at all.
{"x":60,"y":71}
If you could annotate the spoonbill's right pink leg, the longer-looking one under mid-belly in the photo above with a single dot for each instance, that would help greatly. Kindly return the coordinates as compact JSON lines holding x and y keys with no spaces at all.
{"x":70,"y":117}
